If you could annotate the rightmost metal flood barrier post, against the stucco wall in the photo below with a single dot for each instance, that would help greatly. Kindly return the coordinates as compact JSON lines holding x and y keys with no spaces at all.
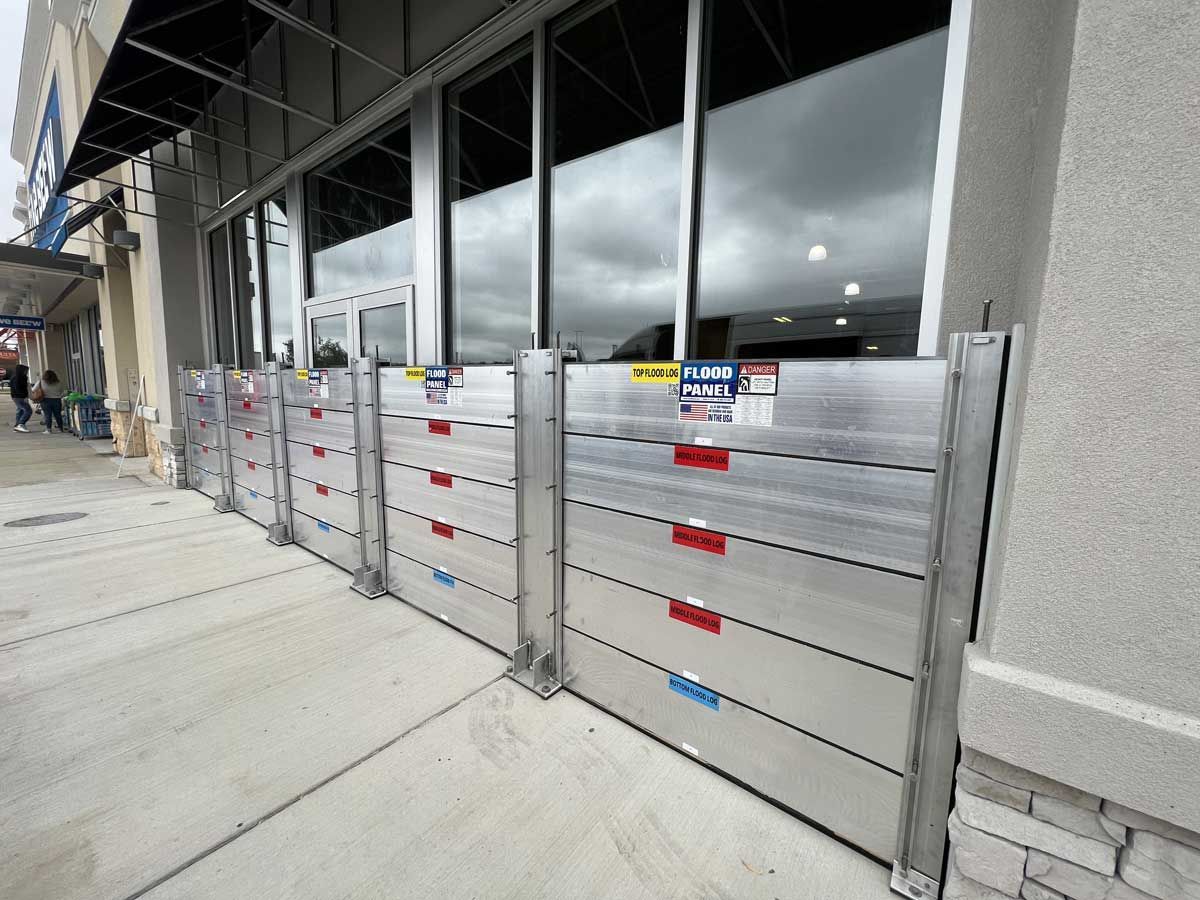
{"x":973,"y":395}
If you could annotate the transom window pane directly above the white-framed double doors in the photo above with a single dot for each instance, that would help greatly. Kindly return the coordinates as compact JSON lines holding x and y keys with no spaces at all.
{"x":361,"y":214}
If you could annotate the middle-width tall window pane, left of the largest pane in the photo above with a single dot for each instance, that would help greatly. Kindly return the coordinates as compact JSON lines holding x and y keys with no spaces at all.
{"x":617,"y":73}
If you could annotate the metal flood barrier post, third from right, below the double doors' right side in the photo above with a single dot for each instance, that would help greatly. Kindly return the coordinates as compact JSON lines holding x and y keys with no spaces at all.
{"x":369,"y":577}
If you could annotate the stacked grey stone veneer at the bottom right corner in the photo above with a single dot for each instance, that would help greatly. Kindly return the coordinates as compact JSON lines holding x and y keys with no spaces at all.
{"x":1018,"y":835}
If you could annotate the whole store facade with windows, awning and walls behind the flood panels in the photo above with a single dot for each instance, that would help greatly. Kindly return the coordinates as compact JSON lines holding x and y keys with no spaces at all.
{"x":448,"y":183}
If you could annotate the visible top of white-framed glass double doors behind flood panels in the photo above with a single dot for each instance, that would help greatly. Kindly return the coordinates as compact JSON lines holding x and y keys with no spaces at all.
{"x":379,"y":326}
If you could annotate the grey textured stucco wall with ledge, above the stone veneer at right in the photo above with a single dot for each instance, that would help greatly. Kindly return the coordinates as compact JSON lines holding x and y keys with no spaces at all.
{"x":1089,"y":670}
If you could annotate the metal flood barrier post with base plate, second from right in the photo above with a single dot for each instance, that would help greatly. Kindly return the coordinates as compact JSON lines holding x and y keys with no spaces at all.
{"x":538,"y":659}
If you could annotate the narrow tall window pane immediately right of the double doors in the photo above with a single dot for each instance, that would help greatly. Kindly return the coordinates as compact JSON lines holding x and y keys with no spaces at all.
{"x":490,"y":190}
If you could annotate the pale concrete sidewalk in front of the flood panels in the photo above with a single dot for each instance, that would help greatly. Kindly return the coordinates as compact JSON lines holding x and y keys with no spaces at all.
{"x":190,"y":712}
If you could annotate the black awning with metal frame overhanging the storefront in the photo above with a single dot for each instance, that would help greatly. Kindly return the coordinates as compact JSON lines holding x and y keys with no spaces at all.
{"x":170,"y":61}
